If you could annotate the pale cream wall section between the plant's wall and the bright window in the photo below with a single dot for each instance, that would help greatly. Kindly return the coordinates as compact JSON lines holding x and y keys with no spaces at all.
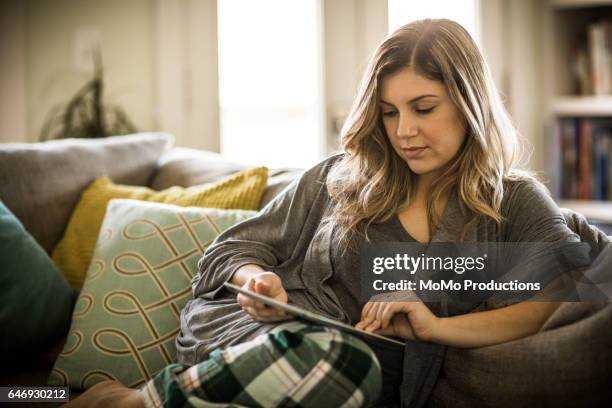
{"x":187,"y":72}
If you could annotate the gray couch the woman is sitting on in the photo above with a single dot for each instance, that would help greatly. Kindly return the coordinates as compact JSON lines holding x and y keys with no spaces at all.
{"x":569,"y":363}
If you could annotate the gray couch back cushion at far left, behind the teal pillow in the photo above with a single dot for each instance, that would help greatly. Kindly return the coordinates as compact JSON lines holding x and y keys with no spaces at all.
{"x":41,"y":182}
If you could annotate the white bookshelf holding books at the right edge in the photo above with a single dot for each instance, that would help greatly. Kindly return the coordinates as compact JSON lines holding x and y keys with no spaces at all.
{"x":577,"y":80}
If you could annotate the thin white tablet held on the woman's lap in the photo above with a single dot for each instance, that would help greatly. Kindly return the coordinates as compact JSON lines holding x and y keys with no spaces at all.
{"x":310,"y":316}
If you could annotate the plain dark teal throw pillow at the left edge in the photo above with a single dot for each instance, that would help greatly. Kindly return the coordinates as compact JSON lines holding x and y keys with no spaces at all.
{"x":36,"y":299}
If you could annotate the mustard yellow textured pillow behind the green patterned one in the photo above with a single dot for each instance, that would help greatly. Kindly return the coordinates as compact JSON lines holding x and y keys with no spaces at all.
{"x":73,"y":254}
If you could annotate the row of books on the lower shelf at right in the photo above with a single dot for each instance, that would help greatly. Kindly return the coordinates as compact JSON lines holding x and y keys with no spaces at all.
{"x":582,"y":167}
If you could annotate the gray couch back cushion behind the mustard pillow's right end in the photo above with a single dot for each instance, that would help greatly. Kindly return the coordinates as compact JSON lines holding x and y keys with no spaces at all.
{"x":189,"y":167}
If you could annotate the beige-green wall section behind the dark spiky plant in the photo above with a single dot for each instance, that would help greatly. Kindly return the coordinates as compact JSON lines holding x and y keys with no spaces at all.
{"x":126,"y":36}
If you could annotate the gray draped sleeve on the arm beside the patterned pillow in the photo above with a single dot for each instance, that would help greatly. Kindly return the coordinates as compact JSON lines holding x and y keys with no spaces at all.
{"x":268,"y":239}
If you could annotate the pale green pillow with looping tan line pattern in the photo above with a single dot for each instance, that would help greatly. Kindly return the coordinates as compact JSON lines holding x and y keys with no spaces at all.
{"x":127,"y":315}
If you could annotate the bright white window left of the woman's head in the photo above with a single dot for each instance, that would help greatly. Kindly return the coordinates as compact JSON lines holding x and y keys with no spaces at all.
{"x":270,"y":82}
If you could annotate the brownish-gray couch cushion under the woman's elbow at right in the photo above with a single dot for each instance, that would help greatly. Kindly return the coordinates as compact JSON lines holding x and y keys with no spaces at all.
{"x":567,"y":364}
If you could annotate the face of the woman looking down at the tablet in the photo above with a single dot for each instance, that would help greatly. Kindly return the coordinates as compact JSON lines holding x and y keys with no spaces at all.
{"x":422,"y":123}
